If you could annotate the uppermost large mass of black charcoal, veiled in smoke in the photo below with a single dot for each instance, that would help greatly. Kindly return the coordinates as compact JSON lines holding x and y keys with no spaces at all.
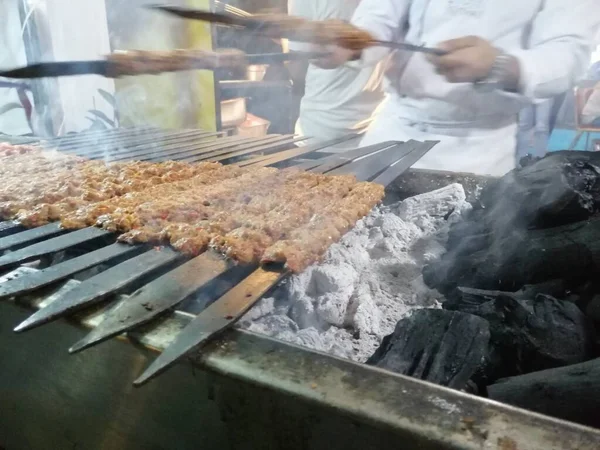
{"x":535,"y":224}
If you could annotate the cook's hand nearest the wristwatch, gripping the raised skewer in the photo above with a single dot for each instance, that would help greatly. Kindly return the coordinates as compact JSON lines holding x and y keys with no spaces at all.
{"x":469,"y":59}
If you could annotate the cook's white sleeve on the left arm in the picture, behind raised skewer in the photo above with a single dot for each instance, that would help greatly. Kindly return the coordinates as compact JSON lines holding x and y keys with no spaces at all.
{"x":384,"y":19}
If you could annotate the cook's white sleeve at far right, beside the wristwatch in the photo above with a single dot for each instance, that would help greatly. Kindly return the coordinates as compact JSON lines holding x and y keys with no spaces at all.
{"x":560,"y":46}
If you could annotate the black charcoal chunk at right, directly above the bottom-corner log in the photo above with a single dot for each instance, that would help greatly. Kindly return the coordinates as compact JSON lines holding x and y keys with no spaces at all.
{"x":532,"y":335}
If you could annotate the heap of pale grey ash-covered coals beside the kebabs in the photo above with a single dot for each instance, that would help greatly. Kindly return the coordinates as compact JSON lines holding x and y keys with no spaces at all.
{"x":368,"y":281}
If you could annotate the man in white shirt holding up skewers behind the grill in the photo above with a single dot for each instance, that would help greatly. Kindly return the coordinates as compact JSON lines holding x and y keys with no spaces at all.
{"x":501,"y":57}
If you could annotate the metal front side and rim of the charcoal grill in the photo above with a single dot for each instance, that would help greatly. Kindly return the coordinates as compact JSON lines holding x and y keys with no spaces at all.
{"x":243,"y":392}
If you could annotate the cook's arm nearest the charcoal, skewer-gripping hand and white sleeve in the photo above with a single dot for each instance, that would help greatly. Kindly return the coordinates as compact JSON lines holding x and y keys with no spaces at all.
{"x":558,"y":53}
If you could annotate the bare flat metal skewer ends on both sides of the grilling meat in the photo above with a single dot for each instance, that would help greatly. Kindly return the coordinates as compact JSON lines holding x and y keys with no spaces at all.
{"x":160,"y":279}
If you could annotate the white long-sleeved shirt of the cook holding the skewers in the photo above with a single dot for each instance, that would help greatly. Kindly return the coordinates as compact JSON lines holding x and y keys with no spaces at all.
{"x":552,"y":39}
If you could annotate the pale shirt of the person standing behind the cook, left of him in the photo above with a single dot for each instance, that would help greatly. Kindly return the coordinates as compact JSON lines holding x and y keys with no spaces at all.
{"x":338,"y":101}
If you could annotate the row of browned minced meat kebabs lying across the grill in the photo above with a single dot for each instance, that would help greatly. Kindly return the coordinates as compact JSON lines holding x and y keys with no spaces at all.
{"x":261,"y":215}
